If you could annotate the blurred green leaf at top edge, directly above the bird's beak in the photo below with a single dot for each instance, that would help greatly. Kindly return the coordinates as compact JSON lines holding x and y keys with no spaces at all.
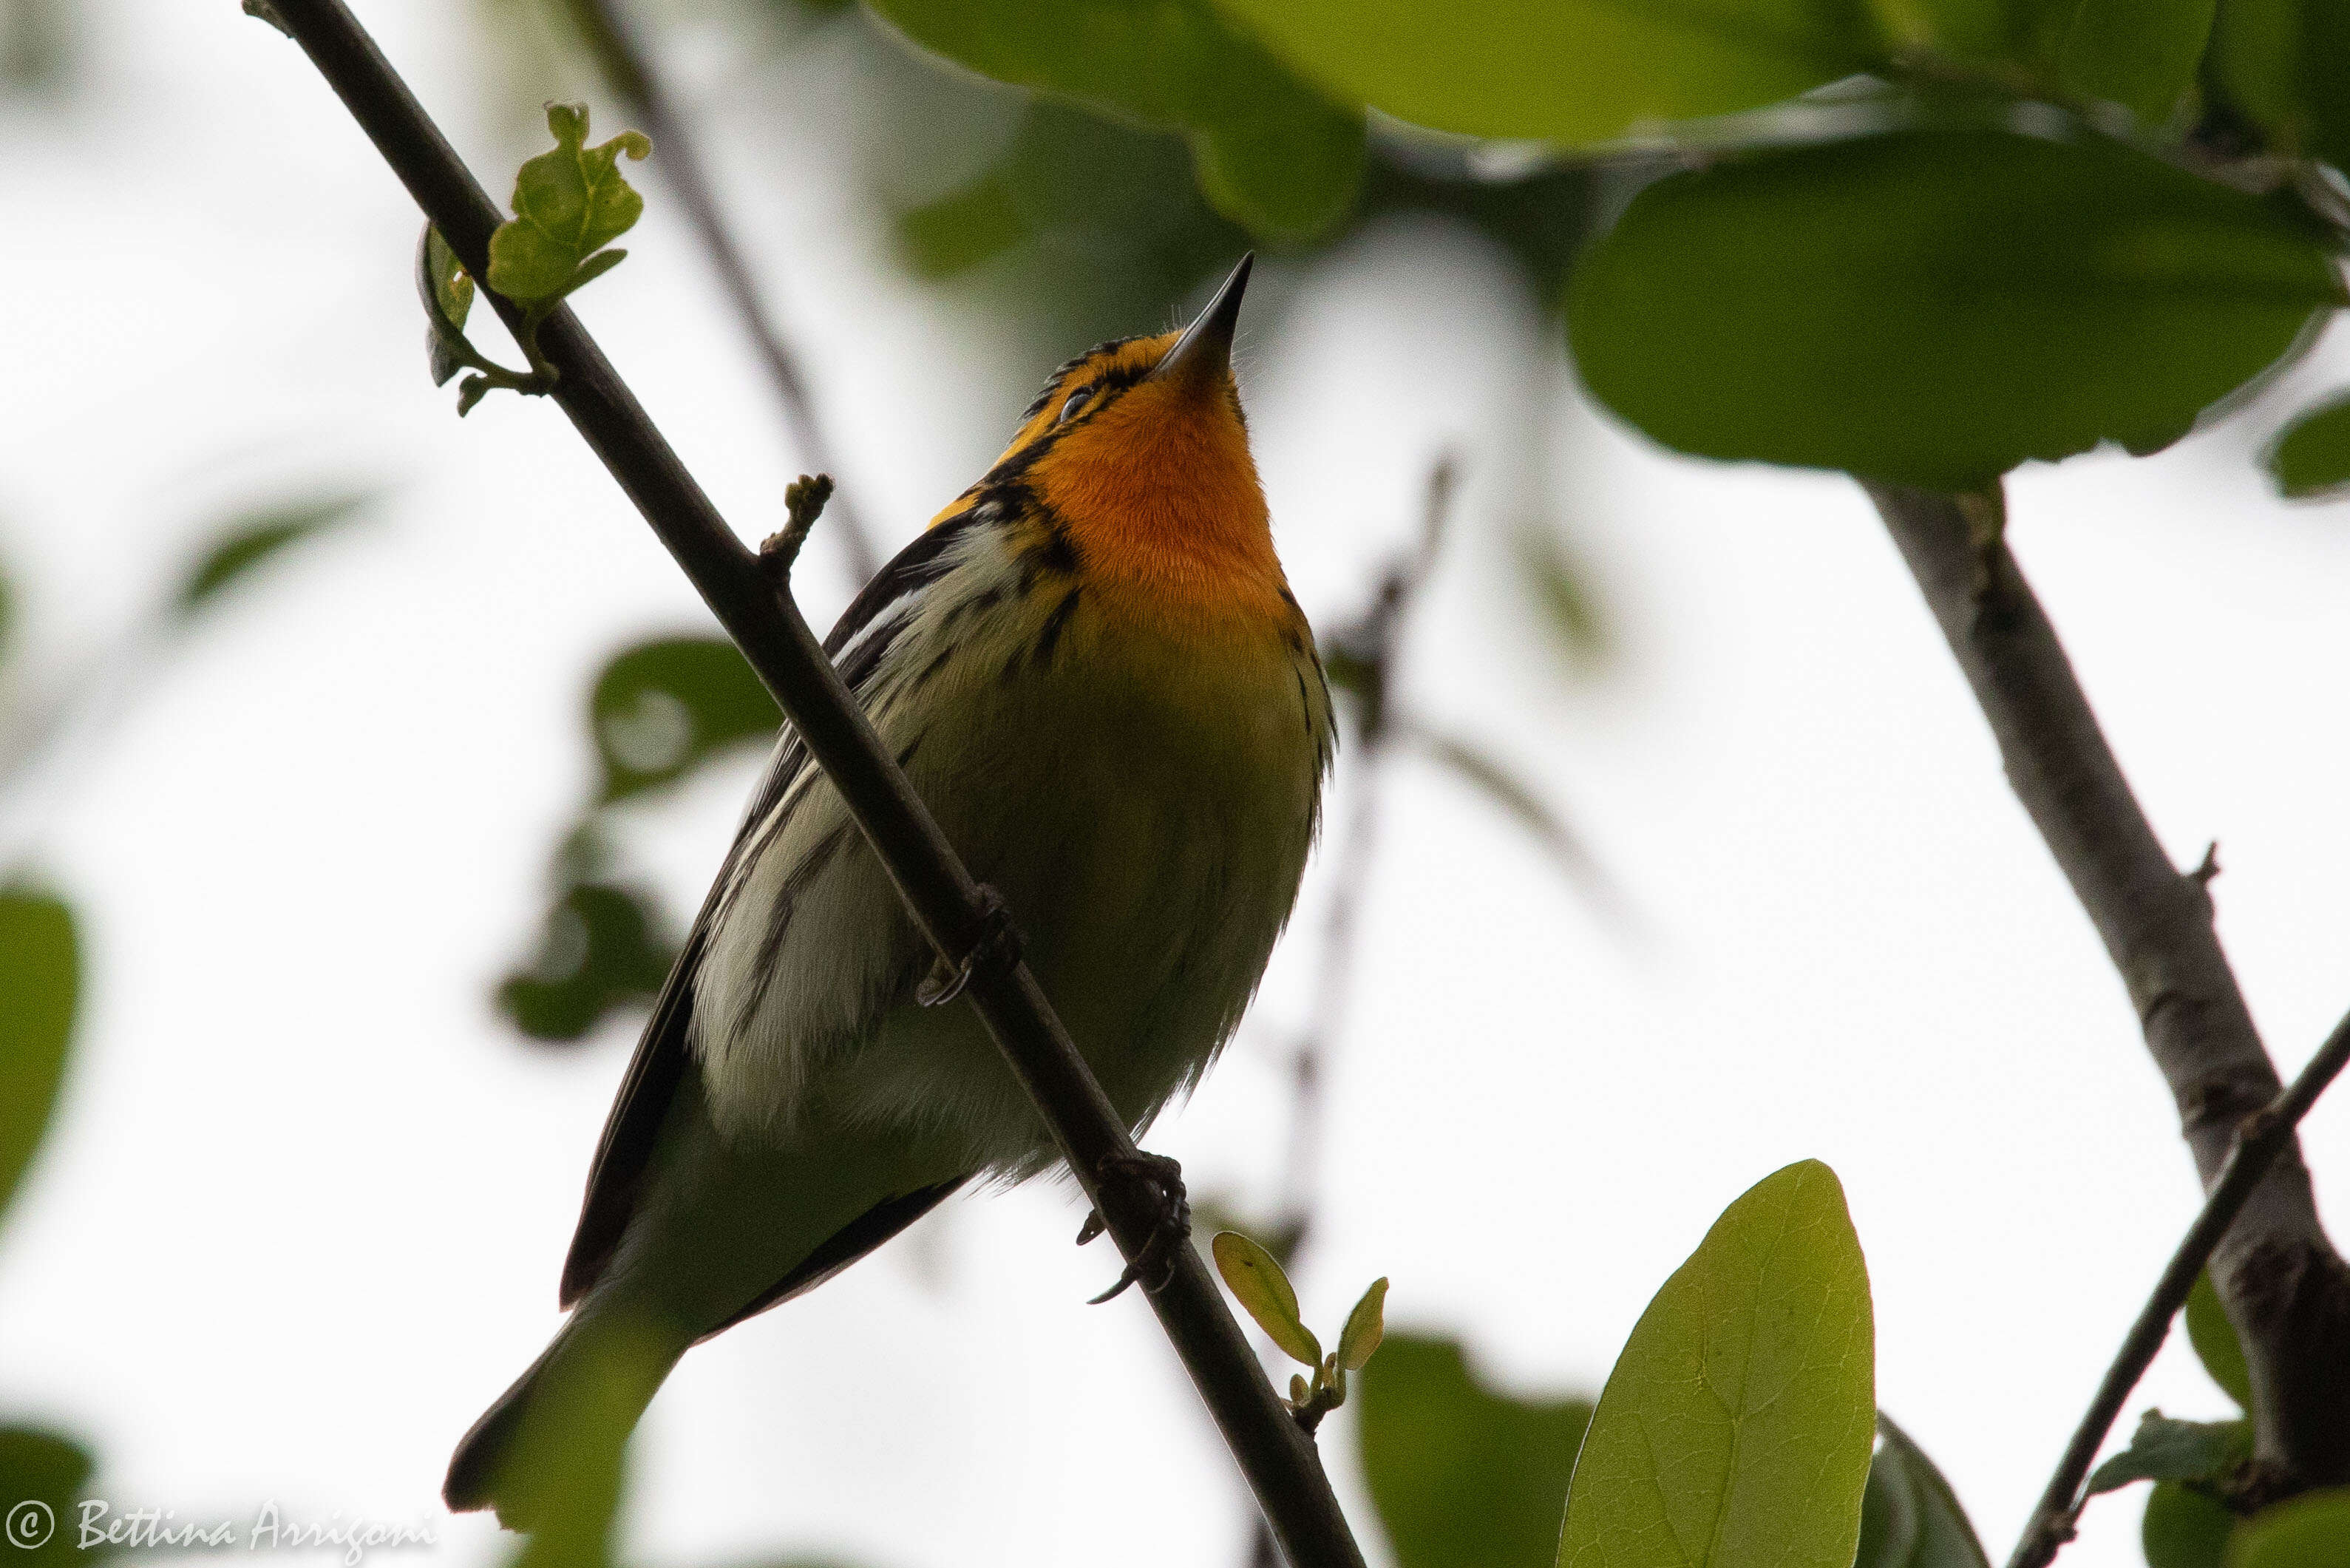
{"x":1270,"y":152}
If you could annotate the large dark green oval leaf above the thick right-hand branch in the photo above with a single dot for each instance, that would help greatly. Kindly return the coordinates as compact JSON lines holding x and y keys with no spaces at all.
{"x":1938,"y":307}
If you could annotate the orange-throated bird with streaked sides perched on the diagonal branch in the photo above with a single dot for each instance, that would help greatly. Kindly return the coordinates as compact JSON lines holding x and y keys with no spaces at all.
{"x":1099,"y":681}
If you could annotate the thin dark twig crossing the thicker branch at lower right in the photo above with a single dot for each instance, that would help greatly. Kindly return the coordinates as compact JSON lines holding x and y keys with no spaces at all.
{"x":2260,"y":1141}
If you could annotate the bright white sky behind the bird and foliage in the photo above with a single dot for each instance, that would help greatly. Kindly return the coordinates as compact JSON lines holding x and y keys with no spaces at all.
{"x":309,"y":1198}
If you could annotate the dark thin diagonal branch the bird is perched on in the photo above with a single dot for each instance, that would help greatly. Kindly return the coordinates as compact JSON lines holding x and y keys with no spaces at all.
{"x":1277,"y":1459}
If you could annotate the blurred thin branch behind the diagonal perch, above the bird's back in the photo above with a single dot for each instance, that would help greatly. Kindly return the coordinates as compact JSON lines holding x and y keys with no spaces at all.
{"x":629,"y":72}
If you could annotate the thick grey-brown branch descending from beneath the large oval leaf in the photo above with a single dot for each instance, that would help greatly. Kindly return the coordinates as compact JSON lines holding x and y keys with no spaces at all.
{"x":2278,"y":1275}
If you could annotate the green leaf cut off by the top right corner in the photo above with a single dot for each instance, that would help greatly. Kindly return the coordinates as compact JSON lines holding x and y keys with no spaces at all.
{"x":2281,"y":62}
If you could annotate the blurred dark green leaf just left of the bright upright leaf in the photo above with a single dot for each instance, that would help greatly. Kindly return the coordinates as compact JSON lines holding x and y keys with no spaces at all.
{"x":1463,"y":1477}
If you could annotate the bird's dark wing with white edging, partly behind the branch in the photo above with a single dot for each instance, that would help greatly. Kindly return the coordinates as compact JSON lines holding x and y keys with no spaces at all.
{"x":624,"y":1155}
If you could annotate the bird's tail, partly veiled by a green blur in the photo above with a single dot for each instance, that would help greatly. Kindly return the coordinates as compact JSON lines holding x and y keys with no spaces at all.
{"x":551,"y":1445}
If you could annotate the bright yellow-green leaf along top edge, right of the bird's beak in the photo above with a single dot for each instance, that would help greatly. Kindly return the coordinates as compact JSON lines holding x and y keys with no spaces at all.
{"x":1569,"y":69}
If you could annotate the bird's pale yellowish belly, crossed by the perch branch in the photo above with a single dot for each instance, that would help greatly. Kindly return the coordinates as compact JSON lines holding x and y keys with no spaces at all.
{"x":1150,"y":855}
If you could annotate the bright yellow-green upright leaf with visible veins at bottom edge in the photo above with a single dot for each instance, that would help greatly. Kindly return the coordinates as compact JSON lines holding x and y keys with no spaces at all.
{"x":1738,"y":1423}
